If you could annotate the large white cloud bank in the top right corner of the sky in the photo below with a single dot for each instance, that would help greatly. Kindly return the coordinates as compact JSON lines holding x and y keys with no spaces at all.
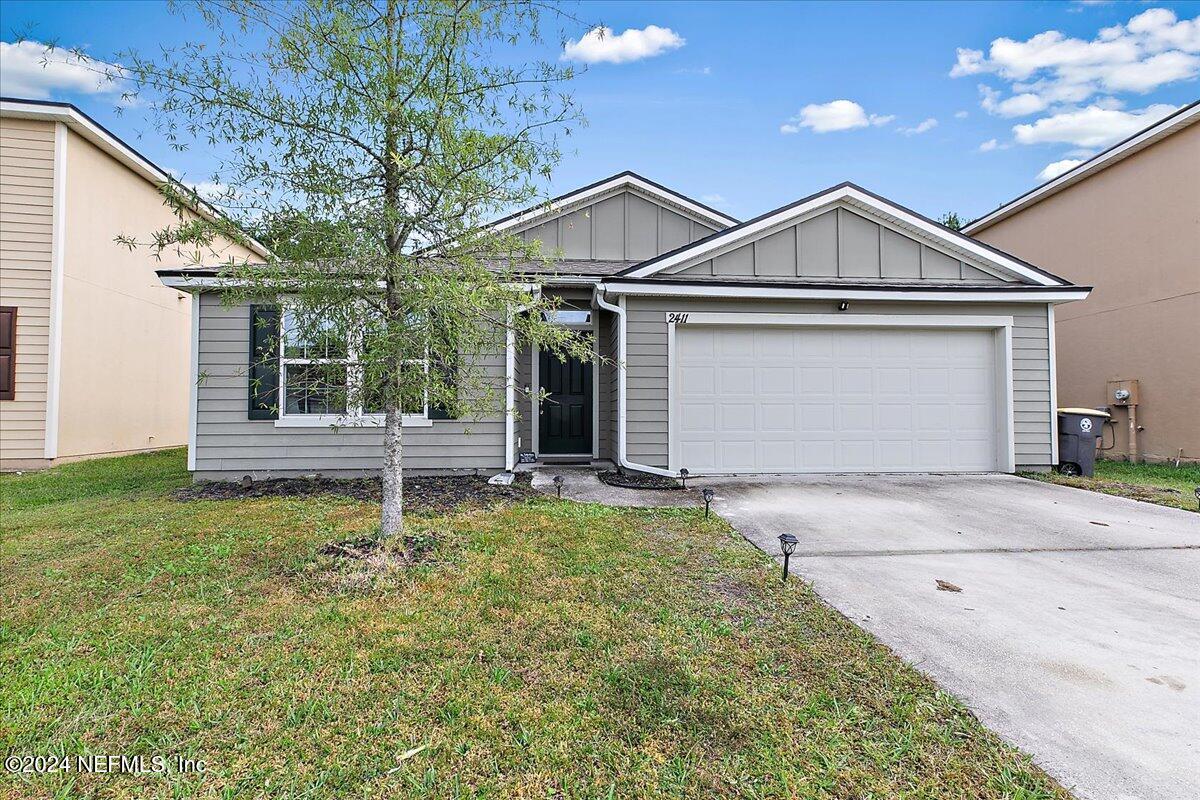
{"x":1149,"y":51}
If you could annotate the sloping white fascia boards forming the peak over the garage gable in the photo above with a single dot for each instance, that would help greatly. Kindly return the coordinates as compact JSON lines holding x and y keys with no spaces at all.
{"x":850,"y":195}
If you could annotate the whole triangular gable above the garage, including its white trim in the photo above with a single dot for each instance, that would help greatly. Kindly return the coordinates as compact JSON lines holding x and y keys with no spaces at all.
{"x":854,"y":236}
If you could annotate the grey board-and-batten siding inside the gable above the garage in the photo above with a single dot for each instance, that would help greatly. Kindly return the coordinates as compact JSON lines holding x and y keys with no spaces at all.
{"x":839,"y":244}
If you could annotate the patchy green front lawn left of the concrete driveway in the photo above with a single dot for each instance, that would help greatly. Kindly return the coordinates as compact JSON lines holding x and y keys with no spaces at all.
{"x":549,"y":651}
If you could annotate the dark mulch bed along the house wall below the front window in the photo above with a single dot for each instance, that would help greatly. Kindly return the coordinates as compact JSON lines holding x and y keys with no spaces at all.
{"x":441,"y":494}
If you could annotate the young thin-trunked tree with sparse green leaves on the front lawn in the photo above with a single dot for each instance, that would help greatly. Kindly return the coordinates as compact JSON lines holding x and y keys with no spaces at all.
{"x":374,"y":140}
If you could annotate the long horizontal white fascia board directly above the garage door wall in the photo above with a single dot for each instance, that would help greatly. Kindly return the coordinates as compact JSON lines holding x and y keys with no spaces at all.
{"x":850,"y":293}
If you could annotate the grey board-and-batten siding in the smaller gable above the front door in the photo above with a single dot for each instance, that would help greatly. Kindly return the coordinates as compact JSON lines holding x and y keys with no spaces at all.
{"x":626,"y":226}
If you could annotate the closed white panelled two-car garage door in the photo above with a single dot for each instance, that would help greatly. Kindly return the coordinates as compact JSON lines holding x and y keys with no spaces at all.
{"x":808,"y":400}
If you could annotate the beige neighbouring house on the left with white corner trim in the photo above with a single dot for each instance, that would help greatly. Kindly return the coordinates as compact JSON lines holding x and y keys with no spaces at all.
{"x":94,"y":351}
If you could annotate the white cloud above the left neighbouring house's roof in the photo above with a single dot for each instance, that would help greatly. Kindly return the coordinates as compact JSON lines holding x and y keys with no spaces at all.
{"x":37,"y":71}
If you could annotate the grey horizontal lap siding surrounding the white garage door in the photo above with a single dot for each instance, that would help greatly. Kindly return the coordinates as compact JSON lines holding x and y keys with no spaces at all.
{"x":647,"y":365}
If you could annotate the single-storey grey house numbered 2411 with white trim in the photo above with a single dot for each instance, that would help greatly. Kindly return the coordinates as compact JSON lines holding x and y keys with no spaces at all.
{"x":842,"y":333}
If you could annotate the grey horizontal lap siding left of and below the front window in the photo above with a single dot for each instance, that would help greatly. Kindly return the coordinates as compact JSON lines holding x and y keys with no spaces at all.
{"x":230,"y":446}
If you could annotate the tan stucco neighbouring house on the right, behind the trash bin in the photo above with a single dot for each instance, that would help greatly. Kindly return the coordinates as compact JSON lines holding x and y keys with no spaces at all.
{"x":1127,"y":222}
